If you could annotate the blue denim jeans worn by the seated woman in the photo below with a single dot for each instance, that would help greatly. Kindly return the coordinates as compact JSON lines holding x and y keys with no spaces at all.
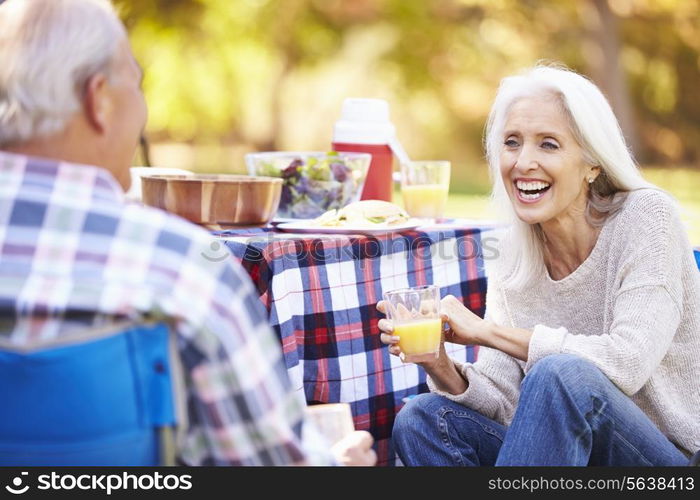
{"x":569,"y":413}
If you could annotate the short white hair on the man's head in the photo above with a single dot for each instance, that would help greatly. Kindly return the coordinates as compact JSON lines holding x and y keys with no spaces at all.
{"x":49,"y":49}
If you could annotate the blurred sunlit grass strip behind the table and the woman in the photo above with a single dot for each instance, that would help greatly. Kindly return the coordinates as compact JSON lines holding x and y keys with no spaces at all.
{"x":683,"y":184}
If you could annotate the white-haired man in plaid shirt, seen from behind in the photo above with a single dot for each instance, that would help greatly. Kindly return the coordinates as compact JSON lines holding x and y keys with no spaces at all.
{"x":74,"y":255}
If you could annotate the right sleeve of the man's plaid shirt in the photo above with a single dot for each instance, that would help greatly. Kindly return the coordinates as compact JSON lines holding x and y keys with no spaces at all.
{"x":241,"y":407}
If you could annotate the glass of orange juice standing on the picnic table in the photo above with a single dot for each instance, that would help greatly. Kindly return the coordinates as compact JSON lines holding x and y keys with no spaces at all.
{"x":424,"y":186}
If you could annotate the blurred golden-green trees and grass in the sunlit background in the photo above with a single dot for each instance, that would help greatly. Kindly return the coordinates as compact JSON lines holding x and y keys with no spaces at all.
{"x":225,"y":77}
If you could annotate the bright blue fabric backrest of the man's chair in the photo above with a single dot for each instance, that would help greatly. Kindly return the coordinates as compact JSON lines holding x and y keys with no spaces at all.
{"x":99,"y":400}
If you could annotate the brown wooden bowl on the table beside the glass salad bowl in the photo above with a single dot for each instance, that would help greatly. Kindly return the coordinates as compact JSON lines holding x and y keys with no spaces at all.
{"x":216,"y":201}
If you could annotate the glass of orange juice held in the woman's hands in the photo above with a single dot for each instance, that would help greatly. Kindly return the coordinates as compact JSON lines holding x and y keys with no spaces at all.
{"x":416,"y":315}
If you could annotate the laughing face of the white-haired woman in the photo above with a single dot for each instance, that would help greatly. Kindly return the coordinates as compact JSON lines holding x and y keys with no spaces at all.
{"x":542,"y":164}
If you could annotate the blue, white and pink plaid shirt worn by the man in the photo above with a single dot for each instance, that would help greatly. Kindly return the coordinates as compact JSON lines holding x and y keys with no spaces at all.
{"x":74,"y":255}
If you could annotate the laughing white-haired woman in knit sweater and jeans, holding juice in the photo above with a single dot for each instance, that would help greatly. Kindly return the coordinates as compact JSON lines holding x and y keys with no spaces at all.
{"x":591,"y":341}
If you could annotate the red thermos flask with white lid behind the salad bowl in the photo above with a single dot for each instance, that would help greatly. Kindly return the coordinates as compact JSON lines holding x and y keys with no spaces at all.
{"x":364,"y":127}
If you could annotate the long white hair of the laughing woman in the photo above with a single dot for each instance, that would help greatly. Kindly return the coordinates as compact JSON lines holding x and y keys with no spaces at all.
{"x":597,"y":131}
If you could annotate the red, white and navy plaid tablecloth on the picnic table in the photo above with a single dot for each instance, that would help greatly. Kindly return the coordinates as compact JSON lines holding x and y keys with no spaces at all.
{"x":321,"y":292}
